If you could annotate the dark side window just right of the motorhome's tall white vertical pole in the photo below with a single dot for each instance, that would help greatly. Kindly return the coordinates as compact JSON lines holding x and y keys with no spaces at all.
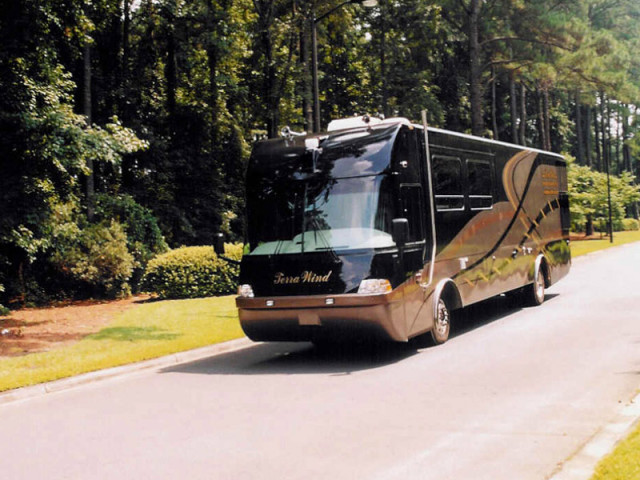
{"x":447,"y":183}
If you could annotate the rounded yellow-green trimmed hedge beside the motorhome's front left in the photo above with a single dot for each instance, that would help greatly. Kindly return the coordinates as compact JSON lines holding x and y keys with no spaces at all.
{"x":191,"y":272}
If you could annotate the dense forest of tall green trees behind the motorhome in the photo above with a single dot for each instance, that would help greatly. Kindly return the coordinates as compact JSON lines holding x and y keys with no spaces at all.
{"x":176,"y":91}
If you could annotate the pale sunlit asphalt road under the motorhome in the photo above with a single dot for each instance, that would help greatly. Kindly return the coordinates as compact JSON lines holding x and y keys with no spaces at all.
{"x":512,"y":395}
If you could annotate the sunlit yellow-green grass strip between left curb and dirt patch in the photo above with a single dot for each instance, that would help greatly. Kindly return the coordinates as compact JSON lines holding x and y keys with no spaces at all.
{"x":147,"y":331}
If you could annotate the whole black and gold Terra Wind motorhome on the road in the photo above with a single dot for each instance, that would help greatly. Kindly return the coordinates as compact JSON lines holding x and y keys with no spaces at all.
{"x":386,"y":227}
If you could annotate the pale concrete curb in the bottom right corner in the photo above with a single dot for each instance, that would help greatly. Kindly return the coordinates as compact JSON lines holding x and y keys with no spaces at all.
{"x":581,"y":465}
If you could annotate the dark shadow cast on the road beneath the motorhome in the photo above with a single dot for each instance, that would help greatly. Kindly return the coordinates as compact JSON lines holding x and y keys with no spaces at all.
{"x":339,"y":359}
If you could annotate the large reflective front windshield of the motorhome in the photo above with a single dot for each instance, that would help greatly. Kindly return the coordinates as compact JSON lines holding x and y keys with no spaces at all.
{"x":314,"y":215}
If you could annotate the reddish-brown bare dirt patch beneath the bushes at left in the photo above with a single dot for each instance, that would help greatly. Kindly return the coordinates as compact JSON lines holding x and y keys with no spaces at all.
{"x":40,"y":329}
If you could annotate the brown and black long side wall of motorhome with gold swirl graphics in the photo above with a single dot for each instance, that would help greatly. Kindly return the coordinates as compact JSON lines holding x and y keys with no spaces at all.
{"x":491,"y":249}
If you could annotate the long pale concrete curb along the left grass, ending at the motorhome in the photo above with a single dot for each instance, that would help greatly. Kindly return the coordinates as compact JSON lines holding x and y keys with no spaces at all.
{"x":41,"y":389}
